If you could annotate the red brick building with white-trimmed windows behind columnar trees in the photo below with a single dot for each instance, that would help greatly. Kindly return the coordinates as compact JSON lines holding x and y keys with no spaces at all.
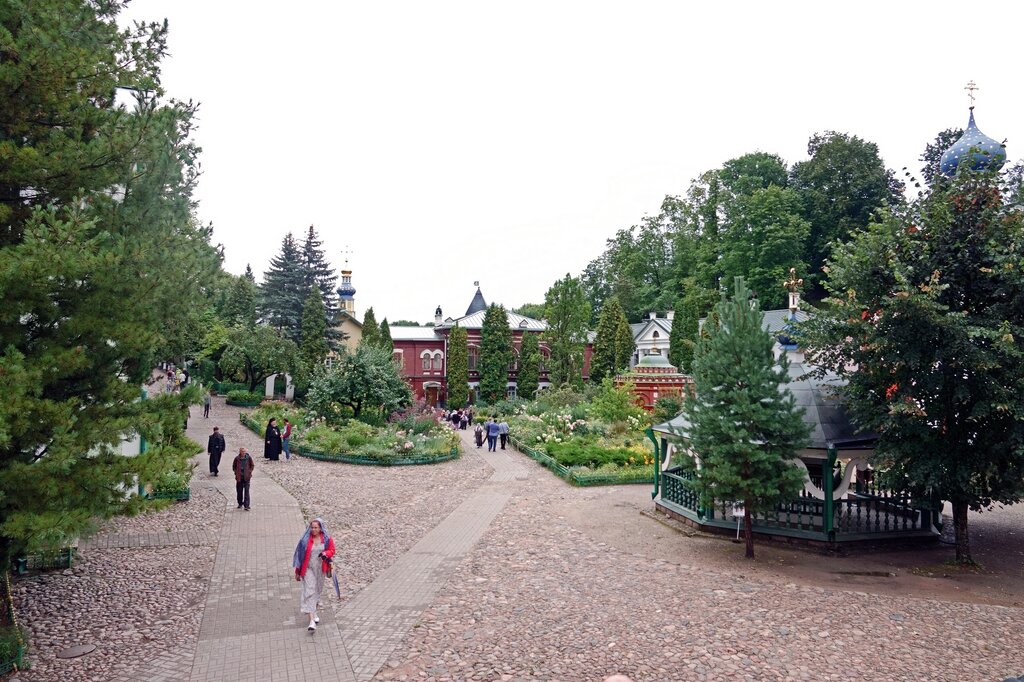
{"x":423,"y":351}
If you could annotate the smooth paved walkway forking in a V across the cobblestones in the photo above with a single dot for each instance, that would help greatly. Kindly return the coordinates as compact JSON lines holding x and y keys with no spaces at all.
{"x":251,"y":624}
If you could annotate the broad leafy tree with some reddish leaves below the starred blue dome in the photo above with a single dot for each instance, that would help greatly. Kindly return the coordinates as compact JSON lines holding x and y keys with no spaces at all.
{"x":929,"y":308}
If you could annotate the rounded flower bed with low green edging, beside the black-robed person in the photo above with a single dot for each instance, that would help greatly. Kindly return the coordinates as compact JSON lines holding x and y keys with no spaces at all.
{"x":409,"y":442}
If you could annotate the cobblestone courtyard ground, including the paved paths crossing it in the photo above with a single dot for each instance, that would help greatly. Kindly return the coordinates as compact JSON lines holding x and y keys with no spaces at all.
{"x":468,"y":570}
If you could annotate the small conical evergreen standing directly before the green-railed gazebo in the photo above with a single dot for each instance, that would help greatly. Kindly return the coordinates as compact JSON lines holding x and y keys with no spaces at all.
{"x":744,"y":429}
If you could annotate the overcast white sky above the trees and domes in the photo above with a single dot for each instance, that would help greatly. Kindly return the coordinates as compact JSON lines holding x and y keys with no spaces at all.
{"x":448,"y":143}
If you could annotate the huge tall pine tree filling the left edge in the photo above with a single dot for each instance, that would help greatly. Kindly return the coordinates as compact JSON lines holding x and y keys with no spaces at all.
{"x":100,"y":248}
